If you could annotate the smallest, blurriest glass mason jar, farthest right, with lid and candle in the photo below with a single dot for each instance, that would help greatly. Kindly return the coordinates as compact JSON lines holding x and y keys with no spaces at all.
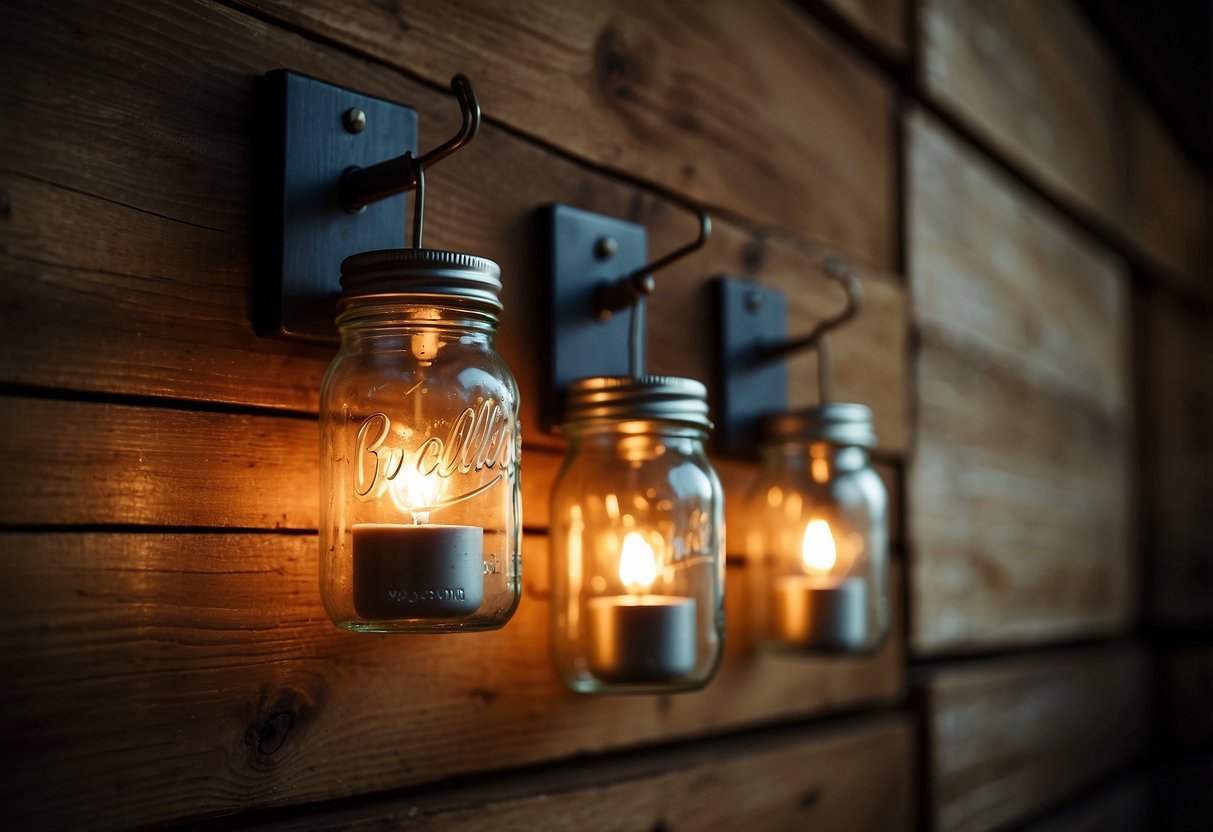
{"x":817,"y":538}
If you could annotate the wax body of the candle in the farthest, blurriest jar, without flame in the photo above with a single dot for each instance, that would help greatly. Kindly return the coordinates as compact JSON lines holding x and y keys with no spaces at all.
{"x":822,"y":613}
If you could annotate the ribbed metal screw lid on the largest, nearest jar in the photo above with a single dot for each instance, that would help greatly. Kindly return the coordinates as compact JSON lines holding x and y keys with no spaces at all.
{"x":423,"y":273}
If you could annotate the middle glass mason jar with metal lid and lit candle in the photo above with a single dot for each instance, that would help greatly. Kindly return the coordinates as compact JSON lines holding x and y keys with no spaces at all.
{"x":637,"y":539}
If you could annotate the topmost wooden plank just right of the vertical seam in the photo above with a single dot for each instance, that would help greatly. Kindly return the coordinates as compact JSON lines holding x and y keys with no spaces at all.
{"x":1035,"y":82}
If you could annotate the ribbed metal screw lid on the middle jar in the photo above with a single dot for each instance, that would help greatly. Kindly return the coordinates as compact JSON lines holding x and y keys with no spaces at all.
{"x":611,"y":400}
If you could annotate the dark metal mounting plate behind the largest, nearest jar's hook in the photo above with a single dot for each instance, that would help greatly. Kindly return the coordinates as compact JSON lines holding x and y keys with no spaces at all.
{"x":301,"y":233}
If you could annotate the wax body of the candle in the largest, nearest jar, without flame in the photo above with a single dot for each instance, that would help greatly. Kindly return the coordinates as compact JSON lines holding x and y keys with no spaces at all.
{"x":418,"y":572}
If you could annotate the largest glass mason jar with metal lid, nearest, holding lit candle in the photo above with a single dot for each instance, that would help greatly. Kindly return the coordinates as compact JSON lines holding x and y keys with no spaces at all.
{"x":420,"y":510}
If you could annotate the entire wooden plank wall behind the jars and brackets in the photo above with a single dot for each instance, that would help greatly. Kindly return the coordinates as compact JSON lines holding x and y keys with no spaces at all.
{"x":167,"y":657}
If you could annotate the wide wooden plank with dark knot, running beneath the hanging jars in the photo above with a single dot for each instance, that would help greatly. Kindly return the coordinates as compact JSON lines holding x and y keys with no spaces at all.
{"x":170,"y":677}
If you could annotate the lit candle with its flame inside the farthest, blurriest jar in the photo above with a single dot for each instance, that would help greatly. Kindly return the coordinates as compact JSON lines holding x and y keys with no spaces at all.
{"x":819,"y":611}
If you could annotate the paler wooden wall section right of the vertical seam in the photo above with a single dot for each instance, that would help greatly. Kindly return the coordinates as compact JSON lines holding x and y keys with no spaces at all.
{"x":1061,"y":424}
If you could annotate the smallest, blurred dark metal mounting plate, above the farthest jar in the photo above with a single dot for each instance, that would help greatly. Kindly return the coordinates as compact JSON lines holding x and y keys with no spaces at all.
{"x":750,"y":317}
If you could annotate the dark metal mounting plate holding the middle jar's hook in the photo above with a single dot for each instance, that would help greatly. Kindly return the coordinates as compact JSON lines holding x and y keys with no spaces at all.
{"x":582,"y":343}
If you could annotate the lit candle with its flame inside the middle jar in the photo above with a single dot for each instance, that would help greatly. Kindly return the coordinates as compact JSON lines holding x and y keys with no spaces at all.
{"x":641,"y":639}
